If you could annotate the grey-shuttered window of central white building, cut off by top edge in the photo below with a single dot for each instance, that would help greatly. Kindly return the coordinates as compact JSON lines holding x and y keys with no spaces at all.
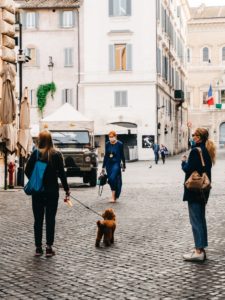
{"x":119,"y":8}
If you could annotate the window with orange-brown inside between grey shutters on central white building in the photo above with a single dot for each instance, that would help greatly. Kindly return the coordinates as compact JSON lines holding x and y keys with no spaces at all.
{"x":120,"y":57}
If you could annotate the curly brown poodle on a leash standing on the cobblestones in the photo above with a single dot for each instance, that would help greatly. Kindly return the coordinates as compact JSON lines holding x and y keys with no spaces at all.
{"x":106,"y":228}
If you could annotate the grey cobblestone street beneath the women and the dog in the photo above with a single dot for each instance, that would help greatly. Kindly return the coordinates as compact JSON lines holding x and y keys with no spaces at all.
{"x":153,"y":232}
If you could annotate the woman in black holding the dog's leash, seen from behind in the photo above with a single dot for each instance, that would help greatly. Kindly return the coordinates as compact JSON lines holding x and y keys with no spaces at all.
{"x":44,"y":204}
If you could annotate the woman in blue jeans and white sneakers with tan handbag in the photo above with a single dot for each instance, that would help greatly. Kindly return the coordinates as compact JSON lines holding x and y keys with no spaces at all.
{"x":197,"y":200}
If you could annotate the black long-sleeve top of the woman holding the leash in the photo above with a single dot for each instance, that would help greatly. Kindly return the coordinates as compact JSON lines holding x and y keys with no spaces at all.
{"x":54,"y":170}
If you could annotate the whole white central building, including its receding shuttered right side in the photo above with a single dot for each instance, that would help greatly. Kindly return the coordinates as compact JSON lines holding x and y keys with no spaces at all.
{"x":129,"y":73}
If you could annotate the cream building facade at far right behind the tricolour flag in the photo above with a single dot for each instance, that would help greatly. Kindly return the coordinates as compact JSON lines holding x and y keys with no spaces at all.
{"x":206,"y":65}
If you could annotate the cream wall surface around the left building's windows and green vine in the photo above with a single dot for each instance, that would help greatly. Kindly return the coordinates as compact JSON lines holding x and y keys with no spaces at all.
{"x":50,"y":40}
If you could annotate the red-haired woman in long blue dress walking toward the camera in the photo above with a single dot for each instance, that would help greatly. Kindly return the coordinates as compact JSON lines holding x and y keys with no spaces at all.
{"x":114,"y":157}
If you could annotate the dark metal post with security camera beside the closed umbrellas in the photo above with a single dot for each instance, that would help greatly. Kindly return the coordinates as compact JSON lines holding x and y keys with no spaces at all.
{"x":20,"y":171}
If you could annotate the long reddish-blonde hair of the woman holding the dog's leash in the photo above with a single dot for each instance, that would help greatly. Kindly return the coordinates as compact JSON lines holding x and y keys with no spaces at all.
{"x":45,"y":144}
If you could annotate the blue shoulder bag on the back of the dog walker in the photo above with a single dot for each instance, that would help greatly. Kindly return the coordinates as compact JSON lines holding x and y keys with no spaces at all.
{"x":35,"y":183}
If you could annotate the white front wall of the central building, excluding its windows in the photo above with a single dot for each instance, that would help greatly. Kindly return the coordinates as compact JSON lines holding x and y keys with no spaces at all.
{"x":99,"y":84}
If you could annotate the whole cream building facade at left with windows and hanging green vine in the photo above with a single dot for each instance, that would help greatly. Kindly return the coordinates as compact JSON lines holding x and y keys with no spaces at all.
{"x":50,"y":39}
